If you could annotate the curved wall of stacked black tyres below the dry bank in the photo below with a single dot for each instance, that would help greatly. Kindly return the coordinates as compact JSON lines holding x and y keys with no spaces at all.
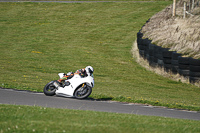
{"x":171,"y":61}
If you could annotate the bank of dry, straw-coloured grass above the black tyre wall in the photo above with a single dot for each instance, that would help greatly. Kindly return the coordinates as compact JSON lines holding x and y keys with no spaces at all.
{"x":177,"y":33}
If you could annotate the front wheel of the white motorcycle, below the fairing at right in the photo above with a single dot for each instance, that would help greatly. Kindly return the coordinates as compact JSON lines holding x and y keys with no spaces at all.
{"x":82,"y":93}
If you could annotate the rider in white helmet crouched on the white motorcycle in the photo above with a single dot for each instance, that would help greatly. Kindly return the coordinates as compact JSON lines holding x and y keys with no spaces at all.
{"x":82,"y":72}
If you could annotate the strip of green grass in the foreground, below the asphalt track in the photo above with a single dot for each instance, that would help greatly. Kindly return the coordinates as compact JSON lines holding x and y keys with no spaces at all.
{"x":40,"y":119}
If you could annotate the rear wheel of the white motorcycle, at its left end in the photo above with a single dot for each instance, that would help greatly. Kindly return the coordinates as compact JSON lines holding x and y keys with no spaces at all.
{"x":49,"y":89}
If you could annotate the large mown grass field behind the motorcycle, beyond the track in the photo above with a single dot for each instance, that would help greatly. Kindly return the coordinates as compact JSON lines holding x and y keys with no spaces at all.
{"x":39,"y":40}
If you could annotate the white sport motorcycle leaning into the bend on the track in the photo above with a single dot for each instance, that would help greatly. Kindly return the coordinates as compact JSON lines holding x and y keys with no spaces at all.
{"x":77,"y":86}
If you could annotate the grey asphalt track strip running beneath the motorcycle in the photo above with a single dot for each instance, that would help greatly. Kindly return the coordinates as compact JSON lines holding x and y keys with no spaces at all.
{"x":16,"y":97}
